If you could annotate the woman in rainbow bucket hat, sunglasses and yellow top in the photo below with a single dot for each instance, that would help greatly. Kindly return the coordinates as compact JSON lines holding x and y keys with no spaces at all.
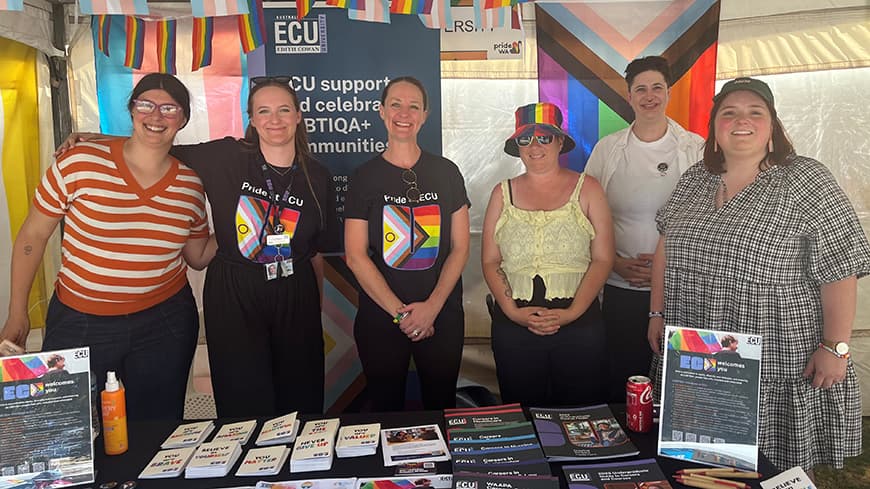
{"x":547,"y":250}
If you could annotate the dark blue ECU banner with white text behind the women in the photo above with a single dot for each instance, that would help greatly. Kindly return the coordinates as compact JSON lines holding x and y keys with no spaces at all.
{"x":339,"y":67}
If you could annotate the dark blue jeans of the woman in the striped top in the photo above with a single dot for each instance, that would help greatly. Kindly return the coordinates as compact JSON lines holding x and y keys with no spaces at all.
{"x":150,"y":350}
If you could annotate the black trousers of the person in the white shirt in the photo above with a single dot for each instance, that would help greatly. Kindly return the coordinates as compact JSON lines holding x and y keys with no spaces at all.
{"x":625,"y":314}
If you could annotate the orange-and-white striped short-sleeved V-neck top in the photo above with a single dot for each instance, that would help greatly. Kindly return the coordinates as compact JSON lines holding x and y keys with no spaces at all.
{"x":121,"y":247}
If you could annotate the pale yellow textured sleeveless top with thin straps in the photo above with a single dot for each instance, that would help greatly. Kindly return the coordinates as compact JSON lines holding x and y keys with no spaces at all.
{"x":553,"y":244}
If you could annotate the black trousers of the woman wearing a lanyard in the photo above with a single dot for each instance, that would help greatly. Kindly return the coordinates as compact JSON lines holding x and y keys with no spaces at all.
{"x":265,"y":340}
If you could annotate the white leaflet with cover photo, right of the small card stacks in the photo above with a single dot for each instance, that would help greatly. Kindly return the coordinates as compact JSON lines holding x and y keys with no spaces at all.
{"x":413,"y":444}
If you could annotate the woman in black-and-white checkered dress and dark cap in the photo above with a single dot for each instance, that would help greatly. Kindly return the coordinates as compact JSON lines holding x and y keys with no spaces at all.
{"x":757,"y":240}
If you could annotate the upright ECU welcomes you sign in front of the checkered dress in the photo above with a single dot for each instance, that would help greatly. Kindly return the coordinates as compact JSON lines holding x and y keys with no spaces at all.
{"x":710,"y":395}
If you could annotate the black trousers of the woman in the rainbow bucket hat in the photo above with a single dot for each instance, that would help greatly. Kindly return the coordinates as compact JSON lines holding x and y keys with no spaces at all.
{"x":566,"y":368}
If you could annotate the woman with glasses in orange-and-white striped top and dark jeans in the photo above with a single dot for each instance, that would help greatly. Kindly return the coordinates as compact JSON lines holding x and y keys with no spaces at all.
{"x":132,"y":216}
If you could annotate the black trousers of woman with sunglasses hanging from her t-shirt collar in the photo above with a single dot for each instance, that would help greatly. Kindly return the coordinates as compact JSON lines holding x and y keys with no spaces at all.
{"x":385,"y":353}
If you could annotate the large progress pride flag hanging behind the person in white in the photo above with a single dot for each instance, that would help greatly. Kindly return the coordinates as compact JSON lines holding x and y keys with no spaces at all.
{"x":583,"y":49}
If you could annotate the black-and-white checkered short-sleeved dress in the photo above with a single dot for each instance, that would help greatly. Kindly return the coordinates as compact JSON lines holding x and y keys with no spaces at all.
{"x":755,"y":266}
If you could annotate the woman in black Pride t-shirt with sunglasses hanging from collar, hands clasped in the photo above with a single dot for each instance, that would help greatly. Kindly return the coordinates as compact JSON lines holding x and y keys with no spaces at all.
{"x":406,"y":239}
